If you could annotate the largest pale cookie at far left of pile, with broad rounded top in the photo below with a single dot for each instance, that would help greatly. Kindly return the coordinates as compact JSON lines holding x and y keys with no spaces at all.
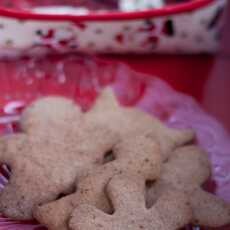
{"x":55,"y":147}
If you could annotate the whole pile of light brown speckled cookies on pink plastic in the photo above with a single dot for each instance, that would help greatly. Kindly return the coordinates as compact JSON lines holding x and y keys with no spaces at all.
{"x":112,"y":167}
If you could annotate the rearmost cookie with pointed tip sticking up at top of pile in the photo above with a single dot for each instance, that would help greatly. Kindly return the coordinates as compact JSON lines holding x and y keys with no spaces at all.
{"x":126,"y":120}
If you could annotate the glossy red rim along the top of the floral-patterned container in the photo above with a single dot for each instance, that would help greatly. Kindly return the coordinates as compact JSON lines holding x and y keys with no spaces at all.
{"x":108,"y":16}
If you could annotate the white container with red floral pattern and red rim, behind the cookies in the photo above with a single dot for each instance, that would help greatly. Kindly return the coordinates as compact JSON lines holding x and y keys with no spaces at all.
{"x":191,"y":27}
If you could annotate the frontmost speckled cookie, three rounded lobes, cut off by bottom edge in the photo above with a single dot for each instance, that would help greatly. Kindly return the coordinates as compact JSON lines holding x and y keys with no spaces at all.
{"x":170,"y":212}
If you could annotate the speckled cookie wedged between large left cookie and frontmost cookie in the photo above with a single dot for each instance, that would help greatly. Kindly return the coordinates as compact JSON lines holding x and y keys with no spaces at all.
{"x":138,"y":155}
